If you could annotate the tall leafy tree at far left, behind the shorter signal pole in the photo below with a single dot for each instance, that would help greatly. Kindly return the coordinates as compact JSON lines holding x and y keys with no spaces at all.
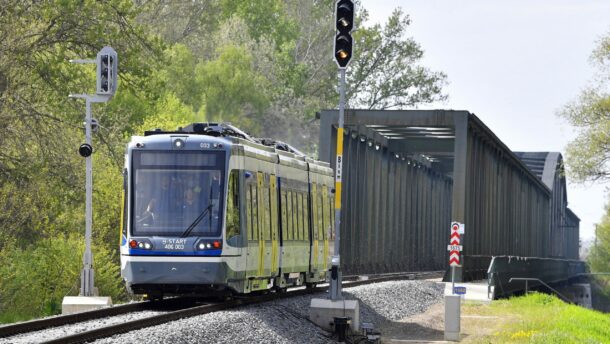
{"x":41,"y":173}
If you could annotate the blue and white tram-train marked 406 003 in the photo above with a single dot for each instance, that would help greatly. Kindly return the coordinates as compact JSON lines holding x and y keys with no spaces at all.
{"x":209,"y":209}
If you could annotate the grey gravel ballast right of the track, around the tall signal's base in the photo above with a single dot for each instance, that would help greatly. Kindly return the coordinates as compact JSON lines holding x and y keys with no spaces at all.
{"x":286,"y":320}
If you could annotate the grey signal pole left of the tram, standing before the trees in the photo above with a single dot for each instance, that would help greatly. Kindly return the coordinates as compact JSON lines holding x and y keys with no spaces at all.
{"x":107,"y":70}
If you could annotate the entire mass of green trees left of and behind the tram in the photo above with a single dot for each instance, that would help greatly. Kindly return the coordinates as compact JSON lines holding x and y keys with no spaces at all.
{"x":264,"y":65}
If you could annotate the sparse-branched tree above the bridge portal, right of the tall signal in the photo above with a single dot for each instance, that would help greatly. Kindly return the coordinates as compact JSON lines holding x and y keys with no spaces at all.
{"x":385,"y":72}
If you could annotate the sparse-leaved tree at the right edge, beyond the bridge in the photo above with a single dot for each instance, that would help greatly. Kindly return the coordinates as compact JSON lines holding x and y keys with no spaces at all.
{"x":588,"y":156}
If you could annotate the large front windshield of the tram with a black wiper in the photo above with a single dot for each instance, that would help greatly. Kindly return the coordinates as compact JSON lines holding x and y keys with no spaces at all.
{"x":177,"y":193}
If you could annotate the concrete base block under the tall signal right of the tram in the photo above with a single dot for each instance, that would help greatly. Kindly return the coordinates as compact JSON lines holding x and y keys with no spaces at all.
{"x":323,"y":311}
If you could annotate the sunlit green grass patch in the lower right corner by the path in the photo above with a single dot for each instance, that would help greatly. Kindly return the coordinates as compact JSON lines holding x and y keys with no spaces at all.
{"x":535,"y":318}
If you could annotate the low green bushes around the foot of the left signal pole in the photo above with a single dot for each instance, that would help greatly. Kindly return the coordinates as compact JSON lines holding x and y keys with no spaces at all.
{"x":35,"y":279}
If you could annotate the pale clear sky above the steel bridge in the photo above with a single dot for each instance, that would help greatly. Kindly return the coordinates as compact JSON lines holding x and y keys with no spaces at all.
{"x":514,"y":64}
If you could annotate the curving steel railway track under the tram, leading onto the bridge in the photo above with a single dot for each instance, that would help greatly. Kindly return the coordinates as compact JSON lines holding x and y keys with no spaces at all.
{"x":179,"y":308}
